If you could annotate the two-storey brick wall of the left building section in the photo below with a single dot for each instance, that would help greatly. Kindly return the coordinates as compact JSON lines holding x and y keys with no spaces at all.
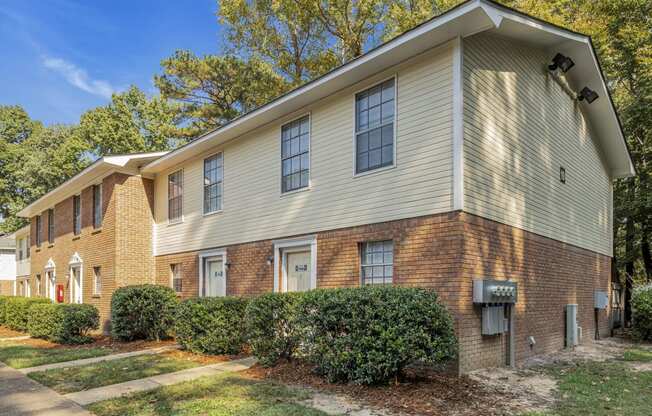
{"x":118,"y":247}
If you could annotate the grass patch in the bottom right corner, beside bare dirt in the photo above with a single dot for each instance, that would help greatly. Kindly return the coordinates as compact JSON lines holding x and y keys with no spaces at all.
{"x":601,"y":389}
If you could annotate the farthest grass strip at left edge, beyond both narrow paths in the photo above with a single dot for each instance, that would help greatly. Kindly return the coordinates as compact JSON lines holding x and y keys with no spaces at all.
{"x":24,"y":356}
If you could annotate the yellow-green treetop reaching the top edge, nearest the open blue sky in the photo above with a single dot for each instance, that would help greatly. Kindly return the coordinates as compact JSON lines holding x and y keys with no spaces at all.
{"x":280,"y":32}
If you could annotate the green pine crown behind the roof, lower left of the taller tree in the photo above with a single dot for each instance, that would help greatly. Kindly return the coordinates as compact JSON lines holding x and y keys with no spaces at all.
{"x":212,"y":89}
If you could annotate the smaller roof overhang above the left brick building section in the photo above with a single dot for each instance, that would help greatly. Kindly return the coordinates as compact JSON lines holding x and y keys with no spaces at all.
{"x":93,"y":174}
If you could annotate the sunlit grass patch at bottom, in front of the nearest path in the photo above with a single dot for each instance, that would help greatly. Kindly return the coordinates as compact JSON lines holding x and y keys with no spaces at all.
{"x":222,"y":395}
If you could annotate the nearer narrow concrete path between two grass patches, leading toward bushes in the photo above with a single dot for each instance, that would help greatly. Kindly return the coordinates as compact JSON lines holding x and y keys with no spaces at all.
{"x":86,"y":397}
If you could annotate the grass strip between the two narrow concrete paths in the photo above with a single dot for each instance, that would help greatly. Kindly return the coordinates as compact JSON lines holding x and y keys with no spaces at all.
{"x":68,"y":380}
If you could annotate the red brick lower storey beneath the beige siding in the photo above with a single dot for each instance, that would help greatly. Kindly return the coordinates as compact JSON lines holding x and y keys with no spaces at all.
{"x":444,"y":252}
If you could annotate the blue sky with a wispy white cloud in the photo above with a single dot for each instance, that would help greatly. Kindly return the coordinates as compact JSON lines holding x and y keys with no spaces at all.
{"x":59,"y":58}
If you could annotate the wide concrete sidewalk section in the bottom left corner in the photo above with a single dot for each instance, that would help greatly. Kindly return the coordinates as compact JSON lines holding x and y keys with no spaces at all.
{"x":21,"y":396}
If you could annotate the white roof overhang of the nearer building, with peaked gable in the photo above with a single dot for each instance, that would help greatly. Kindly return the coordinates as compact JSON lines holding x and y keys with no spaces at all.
{"x":469,"y":18}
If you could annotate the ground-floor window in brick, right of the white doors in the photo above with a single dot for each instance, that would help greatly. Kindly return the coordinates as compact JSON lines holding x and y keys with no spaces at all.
{"x":377,"y":260}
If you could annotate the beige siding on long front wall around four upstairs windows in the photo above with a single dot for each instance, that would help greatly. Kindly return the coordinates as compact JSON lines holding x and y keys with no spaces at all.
{"x":253,"y":207}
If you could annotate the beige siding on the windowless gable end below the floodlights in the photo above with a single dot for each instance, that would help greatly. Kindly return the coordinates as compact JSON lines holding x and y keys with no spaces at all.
{"x":519,"y":128}
